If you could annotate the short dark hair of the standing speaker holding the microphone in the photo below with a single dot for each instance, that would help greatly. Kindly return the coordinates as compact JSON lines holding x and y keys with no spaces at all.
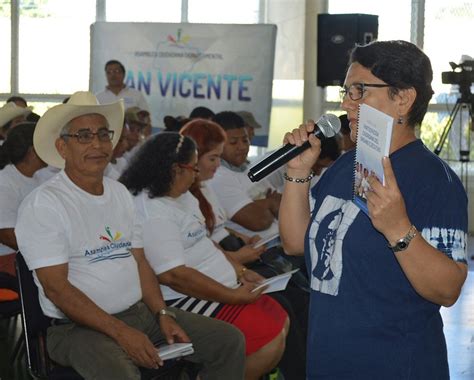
{"x":402,"y":65}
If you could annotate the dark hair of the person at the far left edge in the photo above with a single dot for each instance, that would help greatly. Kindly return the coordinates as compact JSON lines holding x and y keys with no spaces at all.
{"x":16,"y":145}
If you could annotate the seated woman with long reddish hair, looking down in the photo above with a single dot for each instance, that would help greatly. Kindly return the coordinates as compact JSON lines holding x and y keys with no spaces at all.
{"x":210,"y":138}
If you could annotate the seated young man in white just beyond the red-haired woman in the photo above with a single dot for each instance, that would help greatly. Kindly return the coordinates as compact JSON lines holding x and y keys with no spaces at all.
{"x":252,"y":207}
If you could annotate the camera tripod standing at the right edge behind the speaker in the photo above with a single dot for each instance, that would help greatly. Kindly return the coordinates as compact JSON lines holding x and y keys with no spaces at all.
{"x":465,"y":102}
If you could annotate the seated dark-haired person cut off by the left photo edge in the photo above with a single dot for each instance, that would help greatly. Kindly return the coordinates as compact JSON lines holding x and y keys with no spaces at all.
{"x":18,"y":164}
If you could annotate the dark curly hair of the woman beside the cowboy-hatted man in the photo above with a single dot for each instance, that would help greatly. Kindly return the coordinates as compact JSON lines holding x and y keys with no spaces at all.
{"x":151,"y":168}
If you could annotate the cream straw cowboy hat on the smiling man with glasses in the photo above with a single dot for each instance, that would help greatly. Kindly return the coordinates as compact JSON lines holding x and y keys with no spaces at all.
{"x":81,"y":103}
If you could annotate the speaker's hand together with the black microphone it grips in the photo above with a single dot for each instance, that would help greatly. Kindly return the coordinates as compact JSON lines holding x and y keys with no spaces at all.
{"x":297,"y":142}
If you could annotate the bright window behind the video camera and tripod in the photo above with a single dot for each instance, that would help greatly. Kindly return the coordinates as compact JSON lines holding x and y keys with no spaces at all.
{"x":448,"y":26}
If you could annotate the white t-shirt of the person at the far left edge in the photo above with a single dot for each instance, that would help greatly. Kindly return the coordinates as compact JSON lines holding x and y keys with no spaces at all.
{"x":14,"y":187}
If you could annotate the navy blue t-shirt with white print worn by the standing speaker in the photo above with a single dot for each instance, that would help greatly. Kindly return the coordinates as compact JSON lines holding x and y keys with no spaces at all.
{"x":366,"y":320}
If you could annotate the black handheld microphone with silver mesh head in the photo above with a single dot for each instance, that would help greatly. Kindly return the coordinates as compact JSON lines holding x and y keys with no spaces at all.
{"x":327,"y":126}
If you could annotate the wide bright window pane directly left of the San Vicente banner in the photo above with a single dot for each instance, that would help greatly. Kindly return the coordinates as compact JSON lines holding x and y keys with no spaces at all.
{"x":54,"y":45}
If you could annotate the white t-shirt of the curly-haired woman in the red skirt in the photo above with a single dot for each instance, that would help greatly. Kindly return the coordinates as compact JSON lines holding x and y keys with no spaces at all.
{"x":174,"y":234}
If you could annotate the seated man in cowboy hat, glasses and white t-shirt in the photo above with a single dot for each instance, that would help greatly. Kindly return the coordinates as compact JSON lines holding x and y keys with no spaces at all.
{"x":77,"y":232}
